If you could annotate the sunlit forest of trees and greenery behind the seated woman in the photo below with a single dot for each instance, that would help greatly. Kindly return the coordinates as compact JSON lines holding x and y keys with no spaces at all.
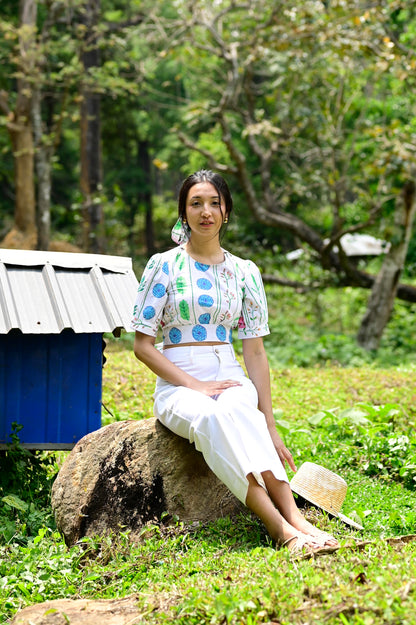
{"x":307,"y":109}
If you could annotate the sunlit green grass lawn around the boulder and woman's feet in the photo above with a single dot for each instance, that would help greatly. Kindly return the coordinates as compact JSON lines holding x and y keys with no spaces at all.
{"x":228,"y":572}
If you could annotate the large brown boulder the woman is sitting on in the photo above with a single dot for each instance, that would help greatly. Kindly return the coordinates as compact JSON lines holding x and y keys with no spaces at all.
{"x":131,"y":472}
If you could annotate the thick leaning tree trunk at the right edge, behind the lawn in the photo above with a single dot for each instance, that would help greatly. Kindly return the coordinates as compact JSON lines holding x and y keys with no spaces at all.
{"x":381,"y":301}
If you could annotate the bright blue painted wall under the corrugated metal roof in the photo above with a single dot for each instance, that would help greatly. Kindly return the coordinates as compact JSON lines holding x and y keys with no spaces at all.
{"x":50,"y":384}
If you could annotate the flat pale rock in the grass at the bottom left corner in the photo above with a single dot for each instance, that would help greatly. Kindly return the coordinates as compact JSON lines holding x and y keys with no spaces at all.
{"x":80,"y":612}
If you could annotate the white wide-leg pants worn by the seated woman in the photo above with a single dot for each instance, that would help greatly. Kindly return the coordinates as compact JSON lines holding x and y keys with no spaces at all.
{"x":228,"y":429}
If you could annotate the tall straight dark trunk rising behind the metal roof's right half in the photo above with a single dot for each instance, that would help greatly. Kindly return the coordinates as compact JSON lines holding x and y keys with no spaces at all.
{"x":91,"y":173}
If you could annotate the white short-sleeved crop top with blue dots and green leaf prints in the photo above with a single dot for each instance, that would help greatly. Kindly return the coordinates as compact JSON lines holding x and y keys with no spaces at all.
{"x":195,"y":302}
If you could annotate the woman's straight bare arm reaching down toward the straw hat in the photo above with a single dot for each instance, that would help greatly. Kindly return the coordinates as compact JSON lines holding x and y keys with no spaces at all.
{"x":257,"y":365}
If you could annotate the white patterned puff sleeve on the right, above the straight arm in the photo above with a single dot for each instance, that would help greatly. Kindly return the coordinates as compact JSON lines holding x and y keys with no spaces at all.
{"x":254,"y":314}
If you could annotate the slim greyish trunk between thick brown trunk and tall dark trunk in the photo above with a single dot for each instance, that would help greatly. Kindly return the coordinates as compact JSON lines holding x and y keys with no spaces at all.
{"x":43,"y":156}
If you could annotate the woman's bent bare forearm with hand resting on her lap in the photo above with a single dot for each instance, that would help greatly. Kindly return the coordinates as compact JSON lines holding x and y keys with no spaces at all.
{"x":146,"y":352}
